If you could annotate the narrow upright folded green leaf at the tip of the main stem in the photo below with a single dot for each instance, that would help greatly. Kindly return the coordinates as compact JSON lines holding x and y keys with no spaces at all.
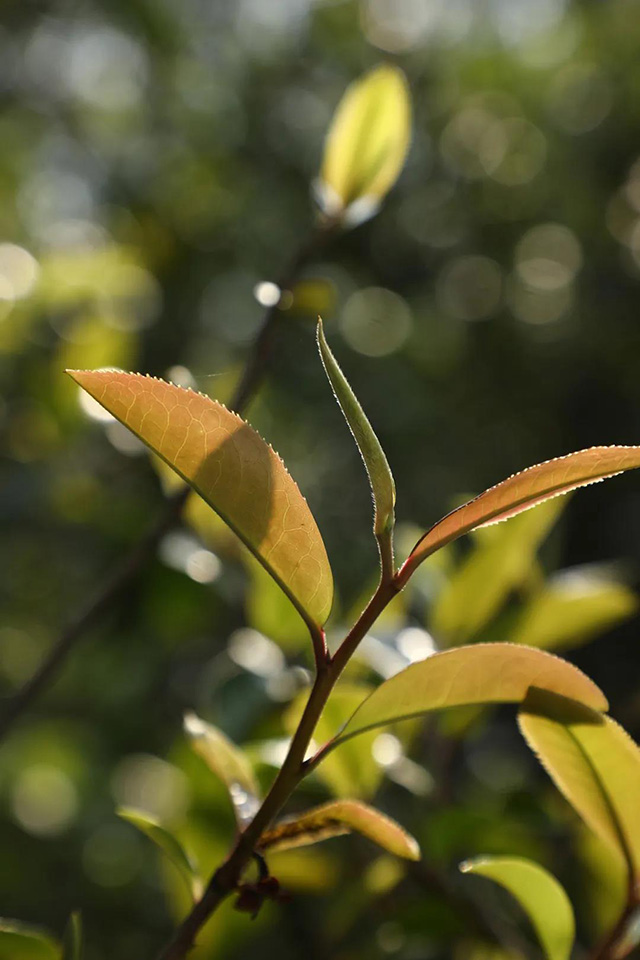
{"x":377,"y":467}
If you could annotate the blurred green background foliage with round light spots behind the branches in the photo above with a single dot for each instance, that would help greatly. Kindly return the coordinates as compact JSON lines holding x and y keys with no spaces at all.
{"x":156,"y":172}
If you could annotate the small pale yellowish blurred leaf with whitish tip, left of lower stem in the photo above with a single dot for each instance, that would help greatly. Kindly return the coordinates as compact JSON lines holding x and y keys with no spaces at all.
{"x":227,"y":762}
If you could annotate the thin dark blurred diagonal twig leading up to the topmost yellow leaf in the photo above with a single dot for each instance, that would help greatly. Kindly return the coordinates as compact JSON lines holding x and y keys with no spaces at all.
{"x":144,"y":550}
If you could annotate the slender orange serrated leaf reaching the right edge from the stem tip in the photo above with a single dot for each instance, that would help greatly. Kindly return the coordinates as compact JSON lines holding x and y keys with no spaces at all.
{"x":523,"y":491}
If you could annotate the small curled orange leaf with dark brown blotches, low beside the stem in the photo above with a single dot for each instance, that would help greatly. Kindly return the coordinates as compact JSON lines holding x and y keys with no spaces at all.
{"x":337,"y":818}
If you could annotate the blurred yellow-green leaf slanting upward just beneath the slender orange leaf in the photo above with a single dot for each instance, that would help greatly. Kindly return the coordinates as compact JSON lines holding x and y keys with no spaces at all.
{"x":493,"y":568}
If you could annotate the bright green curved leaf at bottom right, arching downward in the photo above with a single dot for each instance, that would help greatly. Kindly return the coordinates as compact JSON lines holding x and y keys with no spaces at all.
{"x":539,"y":894}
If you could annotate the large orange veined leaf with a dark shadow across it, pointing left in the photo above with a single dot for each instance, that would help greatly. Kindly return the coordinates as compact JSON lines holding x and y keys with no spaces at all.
{"x":234,"y":470}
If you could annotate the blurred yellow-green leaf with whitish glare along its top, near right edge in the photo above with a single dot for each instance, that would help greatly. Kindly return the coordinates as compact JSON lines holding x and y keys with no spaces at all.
{"x":573,"y":607}
